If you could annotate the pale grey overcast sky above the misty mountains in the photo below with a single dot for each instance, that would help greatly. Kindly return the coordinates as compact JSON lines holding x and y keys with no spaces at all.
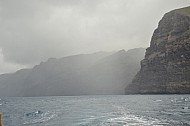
{"x":31,"y":31}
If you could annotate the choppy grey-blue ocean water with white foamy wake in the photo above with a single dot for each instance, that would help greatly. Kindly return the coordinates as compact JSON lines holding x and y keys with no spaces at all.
{"x":126,"y":110}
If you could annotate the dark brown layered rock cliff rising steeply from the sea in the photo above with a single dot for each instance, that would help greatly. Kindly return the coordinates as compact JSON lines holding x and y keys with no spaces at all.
{"x":166,"y":66}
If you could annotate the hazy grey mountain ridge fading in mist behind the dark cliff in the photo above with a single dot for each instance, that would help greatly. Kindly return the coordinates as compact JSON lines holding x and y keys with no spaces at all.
{"x":98,"y":73}
